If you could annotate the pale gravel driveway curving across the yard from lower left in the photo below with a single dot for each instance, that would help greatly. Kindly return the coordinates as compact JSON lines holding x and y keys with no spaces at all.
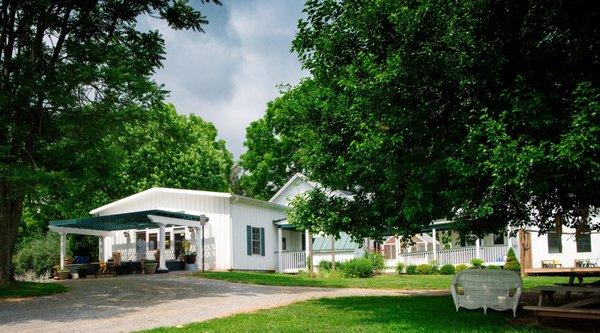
{"x":136,"y":302}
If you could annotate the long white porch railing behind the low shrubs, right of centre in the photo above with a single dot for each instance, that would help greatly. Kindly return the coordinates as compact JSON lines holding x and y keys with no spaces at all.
{"x":490,"y":254}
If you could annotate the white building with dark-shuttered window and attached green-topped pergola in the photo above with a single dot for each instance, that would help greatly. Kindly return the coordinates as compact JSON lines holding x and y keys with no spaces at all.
{"x":241,"y":233}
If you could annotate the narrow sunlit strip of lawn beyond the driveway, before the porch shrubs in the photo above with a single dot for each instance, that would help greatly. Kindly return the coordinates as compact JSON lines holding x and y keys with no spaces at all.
{"x":378,"y":282}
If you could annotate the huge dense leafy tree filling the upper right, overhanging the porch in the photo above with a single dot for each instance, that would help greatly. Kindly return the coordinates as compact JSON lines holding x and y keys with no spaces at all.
{"x":483,"y":112}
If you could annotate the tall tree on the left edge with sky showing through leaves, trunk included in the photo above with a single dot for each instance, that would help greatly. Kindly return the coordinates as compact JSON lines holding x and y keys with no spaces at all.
{"x":71,"y":71}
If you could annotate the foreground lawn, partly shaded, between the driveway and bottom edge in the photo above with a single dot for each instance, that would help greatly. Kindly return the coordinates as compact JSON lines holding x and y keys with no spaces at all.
{"x":363,"y":314}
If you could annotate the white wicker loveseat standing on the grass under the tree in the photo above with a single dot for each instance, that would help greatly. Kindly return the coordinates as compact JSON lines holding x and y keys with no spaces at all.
{"x":487,"y":288}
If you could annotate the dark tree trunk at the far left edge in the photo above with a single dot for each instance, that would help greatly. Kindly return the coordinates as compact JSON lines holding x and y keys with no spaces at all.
{"x":11,"y":209}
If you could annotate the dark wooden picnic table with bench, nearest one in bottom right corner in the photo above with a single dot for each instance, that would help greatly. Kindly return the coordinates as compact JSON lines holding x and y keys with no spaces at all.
{"x":572,"y":309}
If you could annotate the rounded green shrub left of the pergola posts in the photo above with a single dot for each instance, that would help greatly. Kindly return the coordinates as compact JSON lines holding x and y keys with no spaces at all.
{"x":38,"y":255}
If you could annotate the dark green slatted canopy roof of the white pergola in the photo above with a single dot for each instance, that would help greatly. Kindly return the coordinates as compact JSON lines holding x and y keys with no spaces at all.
{"x":135,"y":220}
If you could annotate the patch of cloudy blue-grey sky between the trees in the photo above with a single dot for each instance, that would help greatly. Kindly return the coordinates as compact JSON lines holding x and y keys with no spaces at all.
{"x":229,"y":73}
